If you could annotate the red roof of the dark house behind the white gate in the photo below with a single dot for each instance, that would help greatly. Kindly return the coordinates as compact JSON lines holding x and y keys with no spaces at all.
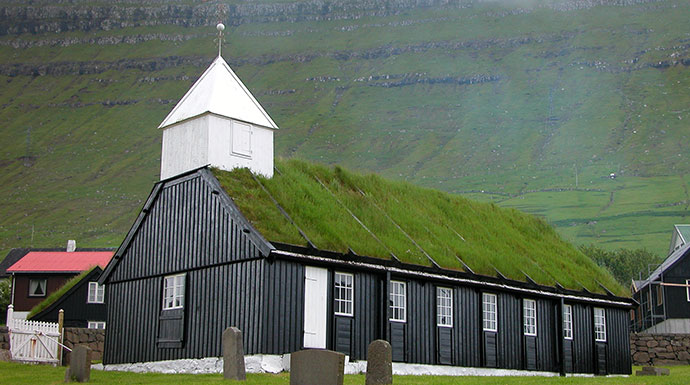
{"x":60,"y":261}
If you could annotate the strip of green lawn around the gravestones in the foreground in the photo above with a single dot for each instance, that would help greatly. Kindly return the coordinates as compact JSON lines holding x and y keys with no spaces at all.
{"x":12,"y":373}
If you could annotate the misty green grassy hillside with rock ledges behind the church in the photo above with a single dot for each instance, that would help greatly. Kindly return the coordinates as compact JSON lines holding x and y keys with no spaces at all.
{"x":527,"y":104}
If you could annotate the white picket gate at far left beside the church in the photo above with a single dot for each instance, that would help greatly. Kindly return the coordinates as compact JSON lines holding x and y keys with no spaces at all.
{"x":33,"y":341}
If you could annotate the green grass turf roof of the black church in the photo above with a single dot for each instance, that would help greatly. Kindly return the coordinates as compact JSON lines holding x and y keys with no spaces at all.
{"x":339,"y":210}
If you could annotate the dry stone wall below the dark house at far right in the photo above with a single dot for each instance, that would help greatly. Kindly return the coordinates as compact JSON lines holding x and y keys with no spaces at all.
{"x":660,"y":349}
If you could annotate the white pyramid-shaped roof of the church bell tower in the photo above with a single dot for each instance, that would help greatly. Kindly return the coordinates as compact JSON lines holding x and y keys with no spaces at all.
{"x":219,"y":91}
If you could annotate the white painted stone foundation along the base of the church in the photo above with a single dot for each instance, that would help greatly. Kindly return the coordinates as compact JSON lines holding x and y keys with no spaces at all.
{"x":267,"y":363}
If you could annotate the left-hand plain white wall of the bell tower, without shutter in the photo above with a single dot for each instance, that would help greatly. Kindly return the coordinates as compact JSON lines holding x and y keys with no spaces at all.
{"x":185,"y":147}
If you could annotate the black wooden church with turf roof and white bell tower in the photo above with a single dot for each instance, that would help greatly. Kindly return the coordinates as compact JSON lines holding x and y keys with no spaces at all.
{"x":299,"y":256}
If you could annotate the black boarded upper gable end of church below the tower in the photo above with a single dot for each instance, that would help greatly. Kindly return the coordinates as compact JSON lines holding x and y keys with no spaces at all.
{"x":188,"y":223}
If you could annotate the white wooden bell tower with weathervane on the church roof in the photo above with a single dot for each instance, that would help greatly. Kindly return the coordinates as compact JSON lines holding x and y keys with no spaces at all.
{"x":217,"y":122}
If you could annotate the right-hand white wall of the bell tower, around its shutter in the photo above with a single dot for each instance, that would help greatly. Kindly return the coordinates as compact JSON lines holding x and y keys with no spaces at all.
{"x":221,"y":153}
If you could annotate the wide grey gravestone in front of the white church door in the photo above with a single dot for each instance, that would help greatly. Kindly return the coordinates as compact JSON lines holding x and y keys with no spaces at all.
{"x":317,"y":367}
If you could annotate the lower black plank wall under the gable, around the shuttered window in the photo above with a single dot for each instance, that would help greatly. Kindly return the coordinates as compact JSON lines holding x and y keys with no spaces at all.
{"x":217,"y":297}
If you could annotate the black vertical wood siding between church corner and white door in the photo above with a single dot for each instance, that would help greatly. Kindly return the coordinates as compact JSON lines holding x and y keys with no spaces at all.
{"x":284,"y":304}
